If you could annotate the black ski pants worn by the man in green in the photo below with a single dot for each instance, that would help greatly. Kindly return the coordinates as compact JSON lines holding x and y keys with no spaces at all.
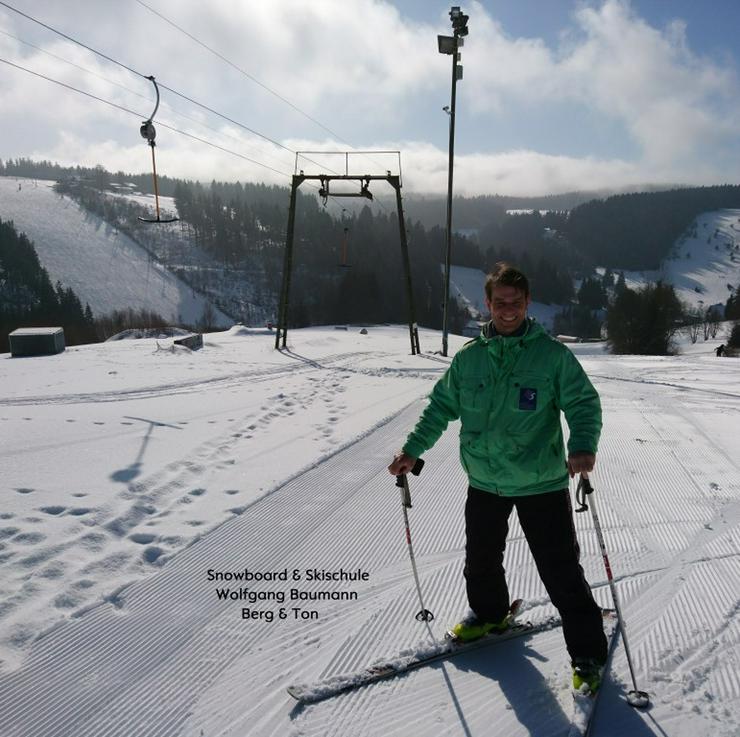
{"x":547,"y":522}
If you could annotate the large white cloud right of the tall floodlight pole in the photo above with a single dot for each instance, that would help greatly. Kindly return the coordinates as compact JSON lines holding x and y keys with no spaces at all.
{"x":670,"y":101}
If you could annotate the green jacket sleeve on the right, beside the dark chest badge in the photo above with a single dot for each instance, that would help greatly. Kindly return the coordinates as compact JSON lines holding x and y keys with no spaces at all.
{"x":580,"y":402}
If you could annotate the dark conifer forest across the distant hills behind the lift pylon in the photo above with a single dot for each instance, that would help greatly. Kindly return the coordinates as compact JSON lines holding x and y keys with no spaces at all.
{"x":348,"y":265}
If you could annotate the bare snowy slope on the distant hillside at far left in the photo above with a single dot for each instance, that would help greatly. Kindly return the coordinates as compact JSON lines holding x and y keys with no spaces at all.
{"x":105,"y":268}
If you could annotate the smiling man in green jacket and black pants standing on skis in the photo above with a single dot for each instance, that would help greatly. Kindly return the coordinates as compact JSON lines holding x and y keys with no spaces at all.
{"x":508,"y":387}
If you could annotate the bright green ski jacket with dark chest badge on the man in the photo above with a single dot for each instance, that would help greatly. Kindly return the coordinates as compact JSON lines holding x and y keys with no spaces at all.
{"x":508,"y":393}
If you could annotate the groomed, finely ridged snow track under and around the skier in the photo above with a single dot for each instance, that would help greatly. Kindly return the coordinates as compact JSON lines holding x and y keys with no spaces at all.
{"x":165,"y":657}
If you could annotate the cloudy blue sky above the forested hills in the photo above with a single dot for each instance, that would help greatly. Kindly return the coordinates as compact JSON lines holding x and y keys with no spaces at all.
{"x":556,"y":96}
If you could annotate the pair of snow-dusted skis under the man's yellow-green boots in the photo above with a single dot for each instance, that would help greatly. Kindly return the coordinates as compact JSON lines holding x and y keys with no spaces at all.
{"x":584,"y":704}
